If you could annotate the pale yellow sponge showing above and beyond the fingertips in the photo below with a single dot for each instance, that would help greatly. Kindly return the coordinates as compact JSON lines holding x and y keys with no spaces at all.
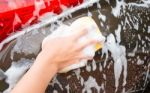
{"x":92,"y":28}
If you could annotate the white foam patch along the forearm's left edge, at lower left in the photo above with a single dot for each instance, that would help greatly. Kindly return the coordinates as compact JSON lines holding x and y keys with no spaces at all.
{"x":16,"y":71}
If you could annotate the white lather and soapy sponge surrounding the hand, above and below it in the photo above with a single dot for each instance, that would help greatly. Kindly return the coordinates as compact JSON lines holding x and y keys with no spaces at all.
{"x":93,"y":32}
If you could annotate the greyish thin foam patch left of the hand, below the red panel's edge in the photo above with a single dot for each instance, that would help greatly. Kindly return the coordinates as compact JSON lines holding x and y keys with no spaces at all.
{"x":28,"y":44}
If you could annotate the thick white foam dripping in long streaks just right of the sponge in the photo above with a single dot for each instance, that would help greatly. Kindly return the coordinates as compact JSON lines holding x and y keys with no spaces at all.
{"x":118,"y":54}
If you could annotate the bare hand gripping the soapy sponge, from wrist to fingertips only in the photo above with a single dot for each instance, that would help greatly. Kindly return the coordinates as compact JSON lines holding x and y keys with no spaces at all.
{"x":65,"y":51}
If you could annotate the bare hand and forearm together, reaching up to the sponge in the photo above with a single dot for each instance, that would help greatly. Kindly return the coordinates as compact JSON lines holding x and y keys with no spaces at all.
{"x":56,"y":54}
